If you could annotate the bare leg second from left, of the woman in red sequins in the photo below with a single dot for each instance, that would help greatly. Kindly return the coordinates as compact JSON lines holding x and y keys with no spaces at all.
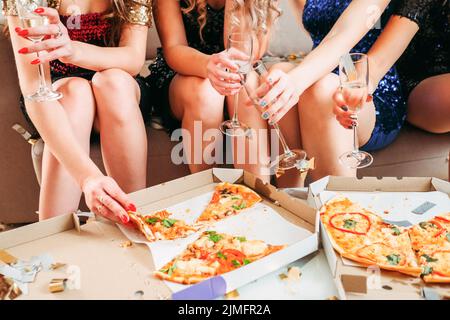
{"x":122,"y":129}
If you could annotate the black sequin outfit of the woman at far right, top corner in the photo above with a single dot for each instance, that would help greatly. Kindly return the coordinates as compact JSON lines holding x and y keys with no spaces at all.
{"x":429,"y":52}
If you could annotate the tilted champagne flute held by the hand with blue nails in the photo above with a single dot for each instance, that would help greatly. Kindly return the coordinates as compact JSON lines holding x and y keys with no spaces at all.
{"x":290,"y":158}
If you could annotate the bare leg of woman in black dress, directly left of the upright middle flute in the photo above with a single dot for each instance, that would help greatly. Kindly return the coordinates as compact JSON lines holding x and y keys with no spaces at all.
{"x":195,"y":102}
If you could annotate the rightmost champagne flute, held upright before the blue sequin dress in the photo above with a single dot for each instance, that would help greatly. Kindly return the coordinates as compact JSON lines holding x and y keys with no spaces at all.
{"x":354,"y":79}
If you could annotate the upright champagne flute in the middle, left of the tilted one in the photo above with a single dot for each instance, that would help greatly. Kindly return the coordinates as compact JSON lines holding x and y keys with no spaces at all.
{"x":240,"y":45}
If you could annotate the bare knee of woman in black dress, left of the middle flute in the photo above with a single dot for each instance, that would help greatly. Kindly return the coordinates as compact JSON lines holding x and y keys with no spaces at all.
{"x":202,"y":101}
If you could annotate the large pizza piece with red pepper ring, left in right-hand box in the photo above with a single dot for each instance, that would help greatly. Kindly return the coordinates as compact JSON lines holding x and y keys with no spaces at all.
{"x":362,"y":236}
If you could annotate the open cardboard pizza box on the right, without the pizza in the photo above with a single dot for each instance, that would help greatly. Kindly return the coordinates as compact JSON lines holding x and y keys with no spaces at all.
{"x":393,"y":199}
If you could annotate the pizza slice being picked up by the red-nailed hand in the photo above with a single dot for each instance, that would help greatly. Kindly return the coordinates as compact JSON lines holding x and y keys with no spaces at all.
{"x":159,"y":226}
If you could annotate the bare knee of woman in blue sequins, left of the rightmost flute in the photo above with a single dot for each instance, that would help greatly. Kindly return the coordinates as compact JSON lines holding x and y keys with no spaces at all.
{"x":317,"y":100}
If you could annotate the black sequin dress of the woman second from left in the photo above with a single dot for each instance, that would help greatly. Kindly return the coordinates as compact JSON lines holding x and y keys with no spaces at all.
{"x":161,"y":74}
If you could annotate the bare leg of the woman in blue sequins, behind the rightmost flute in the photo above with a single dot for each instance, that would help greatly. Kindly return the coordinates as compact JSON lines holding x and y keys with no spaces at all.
{"x":323,"y":137}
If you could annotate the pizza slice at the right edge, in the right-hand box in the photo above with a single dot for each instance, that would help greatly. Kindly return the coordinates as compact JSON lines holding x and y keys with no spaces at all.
{"x":431,"y":242}
